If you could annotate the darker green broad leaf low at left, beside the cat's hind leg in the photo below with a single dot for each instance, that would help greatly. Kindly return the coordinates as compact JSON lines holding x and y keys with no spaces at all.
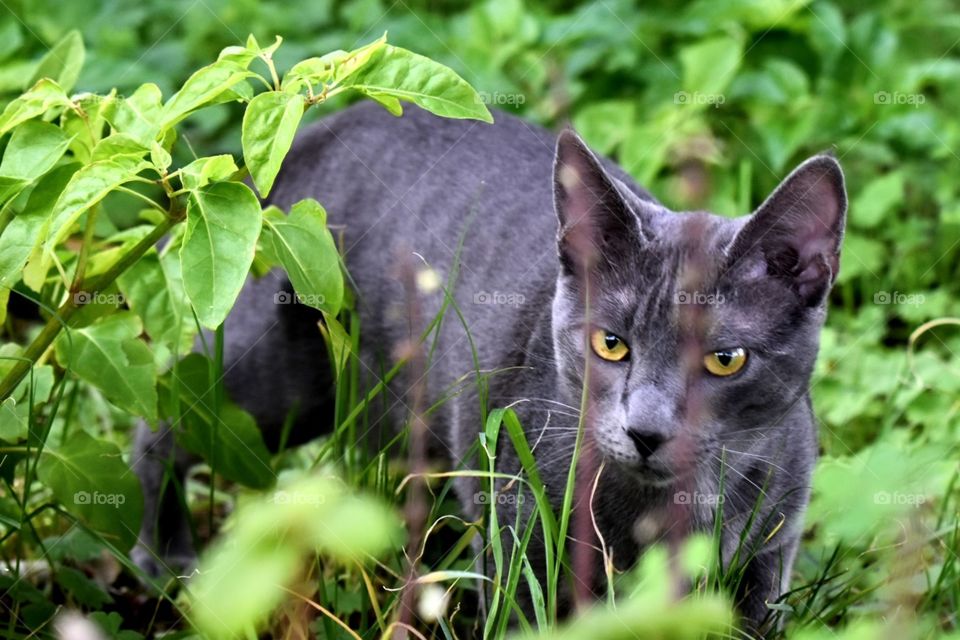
{"x":91,"y":480}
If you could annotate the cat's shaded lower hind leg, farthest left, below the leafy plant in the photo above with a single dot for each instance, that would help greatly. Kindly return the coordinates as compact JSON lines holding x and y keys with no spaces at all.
{"x":165,"y":543}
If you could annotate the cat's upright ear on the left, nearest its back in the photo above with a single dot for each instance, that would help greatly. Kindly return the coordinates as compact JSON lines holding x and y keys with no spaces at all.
{"x":596,"y":223}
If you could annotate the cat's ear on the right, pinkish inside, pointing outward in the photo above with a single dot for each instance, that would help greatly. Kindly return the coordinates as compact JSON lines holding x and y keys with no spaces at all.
{"x":797,"y":231}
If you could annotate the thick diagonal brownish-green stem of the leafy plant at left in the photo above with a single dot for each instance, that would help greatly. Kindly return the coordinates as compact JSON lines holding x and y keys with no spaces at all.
{"x":52,"y":329}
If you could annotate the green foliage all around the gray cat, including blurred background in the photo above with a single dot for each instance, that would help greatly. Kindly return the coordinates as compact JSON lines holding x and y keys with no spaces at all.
{"x":709,"y":104}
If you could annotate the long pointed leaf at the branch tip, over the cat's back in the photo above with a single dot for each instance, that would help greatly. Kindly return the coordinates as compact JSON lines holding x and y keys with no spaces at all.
{"x":410,"y":77}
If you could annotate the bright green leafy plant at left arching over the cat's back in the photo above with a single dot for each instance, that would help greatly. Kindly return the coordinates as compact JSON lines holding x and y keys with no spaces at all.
{"x":121,"y":315}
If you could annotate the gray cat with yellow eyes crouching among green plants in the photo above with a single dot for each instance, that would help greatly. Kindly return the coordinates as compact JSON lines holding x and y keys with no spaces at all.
{"x":417,"y":185}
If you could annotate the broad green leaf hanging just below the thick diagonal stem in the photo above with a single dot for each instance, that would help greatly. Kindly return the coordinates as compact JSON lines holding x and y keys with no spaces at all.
{"x":110,"y":355}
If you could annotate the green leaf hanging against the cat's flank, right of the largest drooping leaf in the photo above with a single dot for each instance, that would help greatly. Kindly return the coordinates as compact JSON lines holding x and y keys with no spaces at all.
{"x":304,"y":246}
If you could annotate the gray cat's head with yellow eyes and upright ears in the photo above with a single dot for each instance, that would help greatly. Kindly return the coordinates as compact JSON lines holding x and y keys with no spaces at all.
{"x":690,"y":308}
